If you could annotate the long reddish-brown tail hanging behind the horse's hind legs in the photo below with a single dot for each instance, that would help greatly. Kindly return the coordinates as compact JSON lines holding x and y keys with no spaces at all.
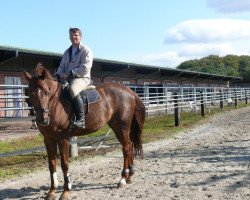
{"x":137,"y":127}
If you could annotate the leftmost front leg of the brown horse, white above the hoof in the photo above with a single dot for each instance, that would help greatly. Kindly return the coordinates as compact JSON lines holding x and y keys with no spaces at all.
{"x":51,"y":148}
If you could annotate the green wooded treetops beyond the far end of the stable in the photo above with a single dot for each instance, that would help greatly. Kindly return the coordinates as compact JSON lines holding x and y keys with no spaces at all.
{"x":230,"y":65}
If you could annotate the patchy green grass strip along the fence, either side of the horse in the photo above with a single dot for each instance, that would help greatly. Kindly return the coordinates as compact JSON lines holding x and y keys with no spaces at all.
{"x":155,"y":128}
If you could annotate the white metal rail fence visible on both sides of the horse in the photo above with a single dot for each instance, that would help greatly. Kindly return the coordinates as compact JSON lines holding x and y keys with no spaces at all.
{"x":158,"y":100}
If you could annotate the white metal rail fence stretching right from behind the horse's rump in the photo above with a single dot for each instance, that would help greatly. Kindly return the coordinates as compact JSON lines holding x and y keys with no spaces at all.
{"x":161,"y":99}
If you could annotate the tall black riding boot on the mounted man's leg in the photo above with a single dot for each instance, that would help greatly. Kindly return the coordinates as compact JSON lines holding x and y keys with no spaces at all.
{"x":79,"y":112}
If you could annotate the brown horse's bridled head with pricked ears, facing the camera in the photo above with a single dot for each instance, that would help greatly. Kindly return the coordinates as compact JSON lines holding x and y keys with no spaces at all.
{"x":41,"y":88}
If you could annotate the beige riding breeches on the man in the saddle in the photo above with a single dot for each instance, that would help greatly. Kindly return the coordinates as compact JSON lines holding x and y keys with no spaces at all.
{"x":77,"y":85}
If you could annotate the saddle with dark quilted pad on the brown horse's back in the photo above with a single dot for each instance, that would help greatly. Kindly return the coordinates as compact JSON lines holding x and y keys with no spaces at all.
{"x":89,"y":95}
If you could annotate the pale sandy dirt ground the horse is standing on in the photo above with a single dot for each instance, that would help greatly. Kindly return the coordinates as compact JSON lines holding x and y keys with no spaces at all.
{"x":211,"y":161}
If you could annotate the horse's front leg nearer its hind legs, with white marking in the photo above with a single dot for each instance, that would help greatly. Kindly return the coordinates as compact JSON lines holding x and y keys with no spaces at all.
{"x":64,"y":153}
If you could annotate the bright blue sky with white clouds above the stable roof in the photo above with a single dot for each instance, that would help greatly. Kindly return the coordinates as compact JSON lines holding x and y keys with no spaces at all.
{"x":160,"y":33}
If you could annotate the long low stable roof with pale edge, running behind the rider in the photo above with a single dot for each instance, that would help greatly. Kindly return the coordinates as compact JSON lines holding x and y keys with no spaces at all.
{"x":120,"y":68}
